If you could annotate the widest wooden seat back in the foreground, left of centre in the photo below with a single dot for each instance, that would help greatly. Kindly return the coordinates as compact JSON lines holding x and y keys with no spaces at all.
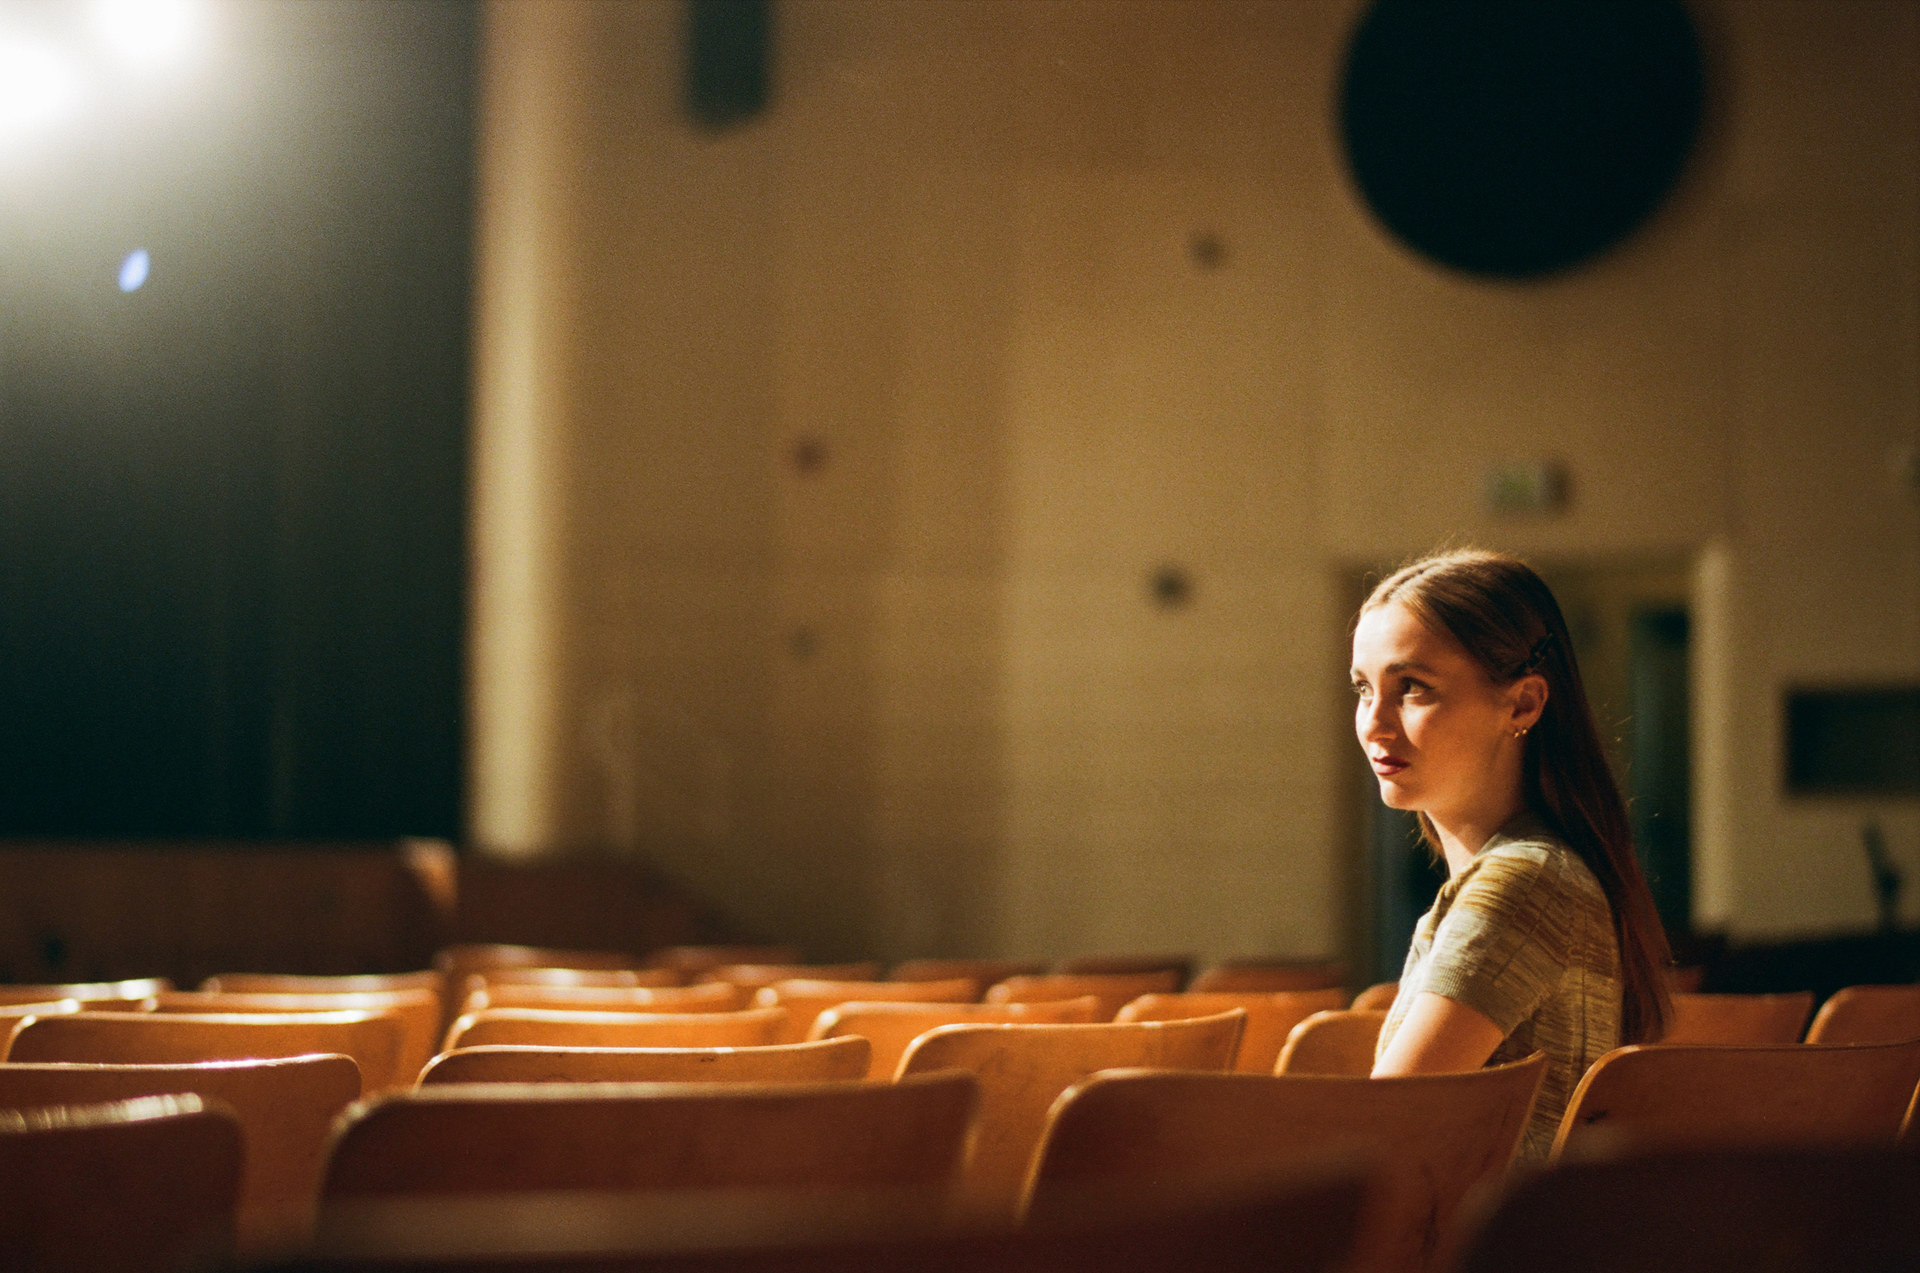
{"x":508,"y":1138}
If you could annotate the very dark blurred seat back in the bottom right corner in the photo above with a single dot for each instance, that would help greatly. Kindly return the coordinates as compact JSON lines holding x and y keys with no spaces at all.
{"x":1806,"y":1209}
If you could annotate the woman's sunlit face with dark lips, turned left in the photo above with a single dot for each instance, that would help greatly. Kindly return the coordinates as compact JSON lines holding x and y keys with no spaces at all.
{"x":1437,"y":731}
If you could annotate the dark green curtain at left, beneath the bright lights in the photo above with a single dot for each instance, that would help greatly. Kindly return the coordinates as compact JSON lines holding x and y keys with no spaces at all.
{"x":231,"y":502}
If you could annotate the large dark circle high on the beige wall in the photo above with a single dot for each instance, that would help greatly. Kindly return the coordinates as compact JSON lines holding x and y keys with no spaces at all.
{"x":1520,"y":137}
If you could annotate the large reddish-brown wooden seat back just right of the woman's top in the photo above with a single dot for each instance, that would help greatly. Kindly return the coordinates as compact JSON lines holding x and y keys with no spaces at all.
{"x":1742,"y":1095}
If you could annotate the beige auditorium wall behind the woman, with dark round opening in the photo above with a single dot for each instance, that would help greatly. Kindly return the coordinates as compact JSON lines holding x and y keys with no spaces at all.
{"x":921,"y":700}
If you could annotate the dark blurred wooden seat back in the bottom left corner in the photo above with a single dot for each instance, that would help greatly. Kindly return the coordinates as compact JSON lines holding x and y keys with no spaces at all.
{"x":120,"y":1188}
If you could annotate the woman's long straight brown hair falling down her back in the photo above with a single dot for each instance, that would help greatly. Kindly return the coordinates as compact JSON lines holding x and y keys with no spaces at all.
{"x":1508,"y":621}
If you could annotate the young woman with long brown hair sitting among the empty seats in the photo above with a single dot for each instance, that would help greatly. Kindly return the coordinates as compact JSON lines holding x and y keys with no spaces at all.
{"x":1545,"y":936}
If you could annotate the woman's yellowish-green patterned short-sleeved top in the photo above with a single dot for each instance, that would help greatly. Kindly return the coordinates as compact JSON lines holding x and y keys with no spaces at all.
{"x":1524,"y":936}
